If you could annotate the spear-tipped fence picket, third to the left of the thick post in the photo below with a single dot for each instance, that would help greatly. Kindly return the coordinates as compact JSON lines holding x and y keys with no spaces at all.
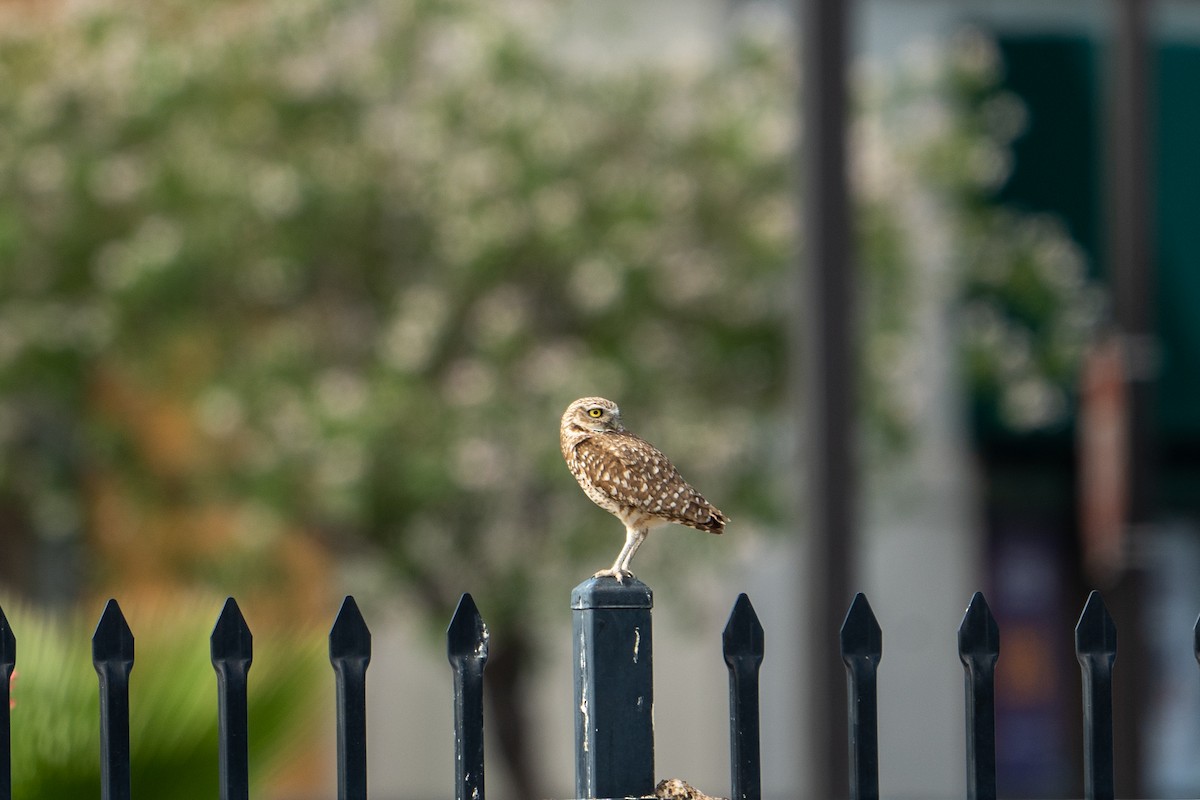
{"x":232,"y":652}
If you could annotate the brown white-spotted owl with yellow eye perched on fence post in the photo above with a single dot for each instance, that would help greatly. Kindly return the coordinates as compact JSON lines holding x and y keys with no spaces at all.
{"x":629,"y":478}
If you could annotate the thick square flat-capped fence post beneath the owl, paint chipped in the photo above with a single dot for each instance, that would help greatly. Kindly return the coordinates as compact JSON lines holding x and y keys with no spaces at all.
{"x":614,"y":689}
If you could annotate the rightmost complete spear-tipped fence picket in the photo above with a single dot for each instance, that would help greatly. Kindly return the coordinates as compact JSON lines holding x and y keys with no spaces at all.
{"x":1096,"y":647}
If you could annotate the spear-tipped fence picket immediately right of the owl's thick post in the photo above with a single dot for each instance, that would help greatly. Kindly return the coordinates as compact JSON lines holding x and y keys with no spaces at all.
{"x":743,"y":649}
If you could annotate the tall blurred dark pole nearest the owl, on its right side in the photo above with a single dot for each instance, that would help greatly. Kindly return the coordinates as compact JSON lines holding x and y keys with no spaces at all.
{"x":824,"y":324}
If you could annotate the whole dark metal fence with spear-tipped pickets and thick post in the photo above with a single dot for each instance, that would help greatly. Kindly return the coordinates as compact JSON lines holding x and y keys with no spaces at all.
{"x":614,"y":694}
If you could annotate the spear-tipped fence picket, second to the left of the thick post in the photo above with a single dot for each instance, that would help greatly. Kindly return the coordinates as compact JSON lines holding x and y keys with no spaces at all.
{"x":350,"y":652}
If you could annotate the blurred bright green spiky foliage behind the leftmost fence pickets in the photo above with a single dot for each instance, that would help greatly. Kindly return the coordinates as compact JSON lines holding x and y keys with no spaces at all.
{"x":173,"y":721}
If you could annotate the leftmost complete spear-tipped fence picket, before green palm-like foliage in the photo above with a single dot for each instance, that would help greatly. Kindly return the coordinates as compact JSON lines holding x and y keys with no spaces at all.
{"x":112,"y":655}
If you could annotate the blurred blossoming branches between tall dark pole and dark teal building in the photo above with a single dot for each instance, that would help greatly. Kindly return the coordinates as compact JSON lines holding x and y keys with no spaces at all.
{"x":1027,"y":306}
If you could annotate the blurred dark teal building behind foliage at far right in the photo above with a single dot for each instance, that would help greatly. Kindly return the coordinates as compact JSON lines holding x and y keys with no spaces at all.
{"x":1040,"y":520}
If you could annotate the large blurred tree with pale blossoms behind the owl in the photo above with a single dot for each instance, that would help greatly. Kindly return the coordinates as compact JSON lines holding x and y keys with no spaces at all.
{"x":327,"y":272}
